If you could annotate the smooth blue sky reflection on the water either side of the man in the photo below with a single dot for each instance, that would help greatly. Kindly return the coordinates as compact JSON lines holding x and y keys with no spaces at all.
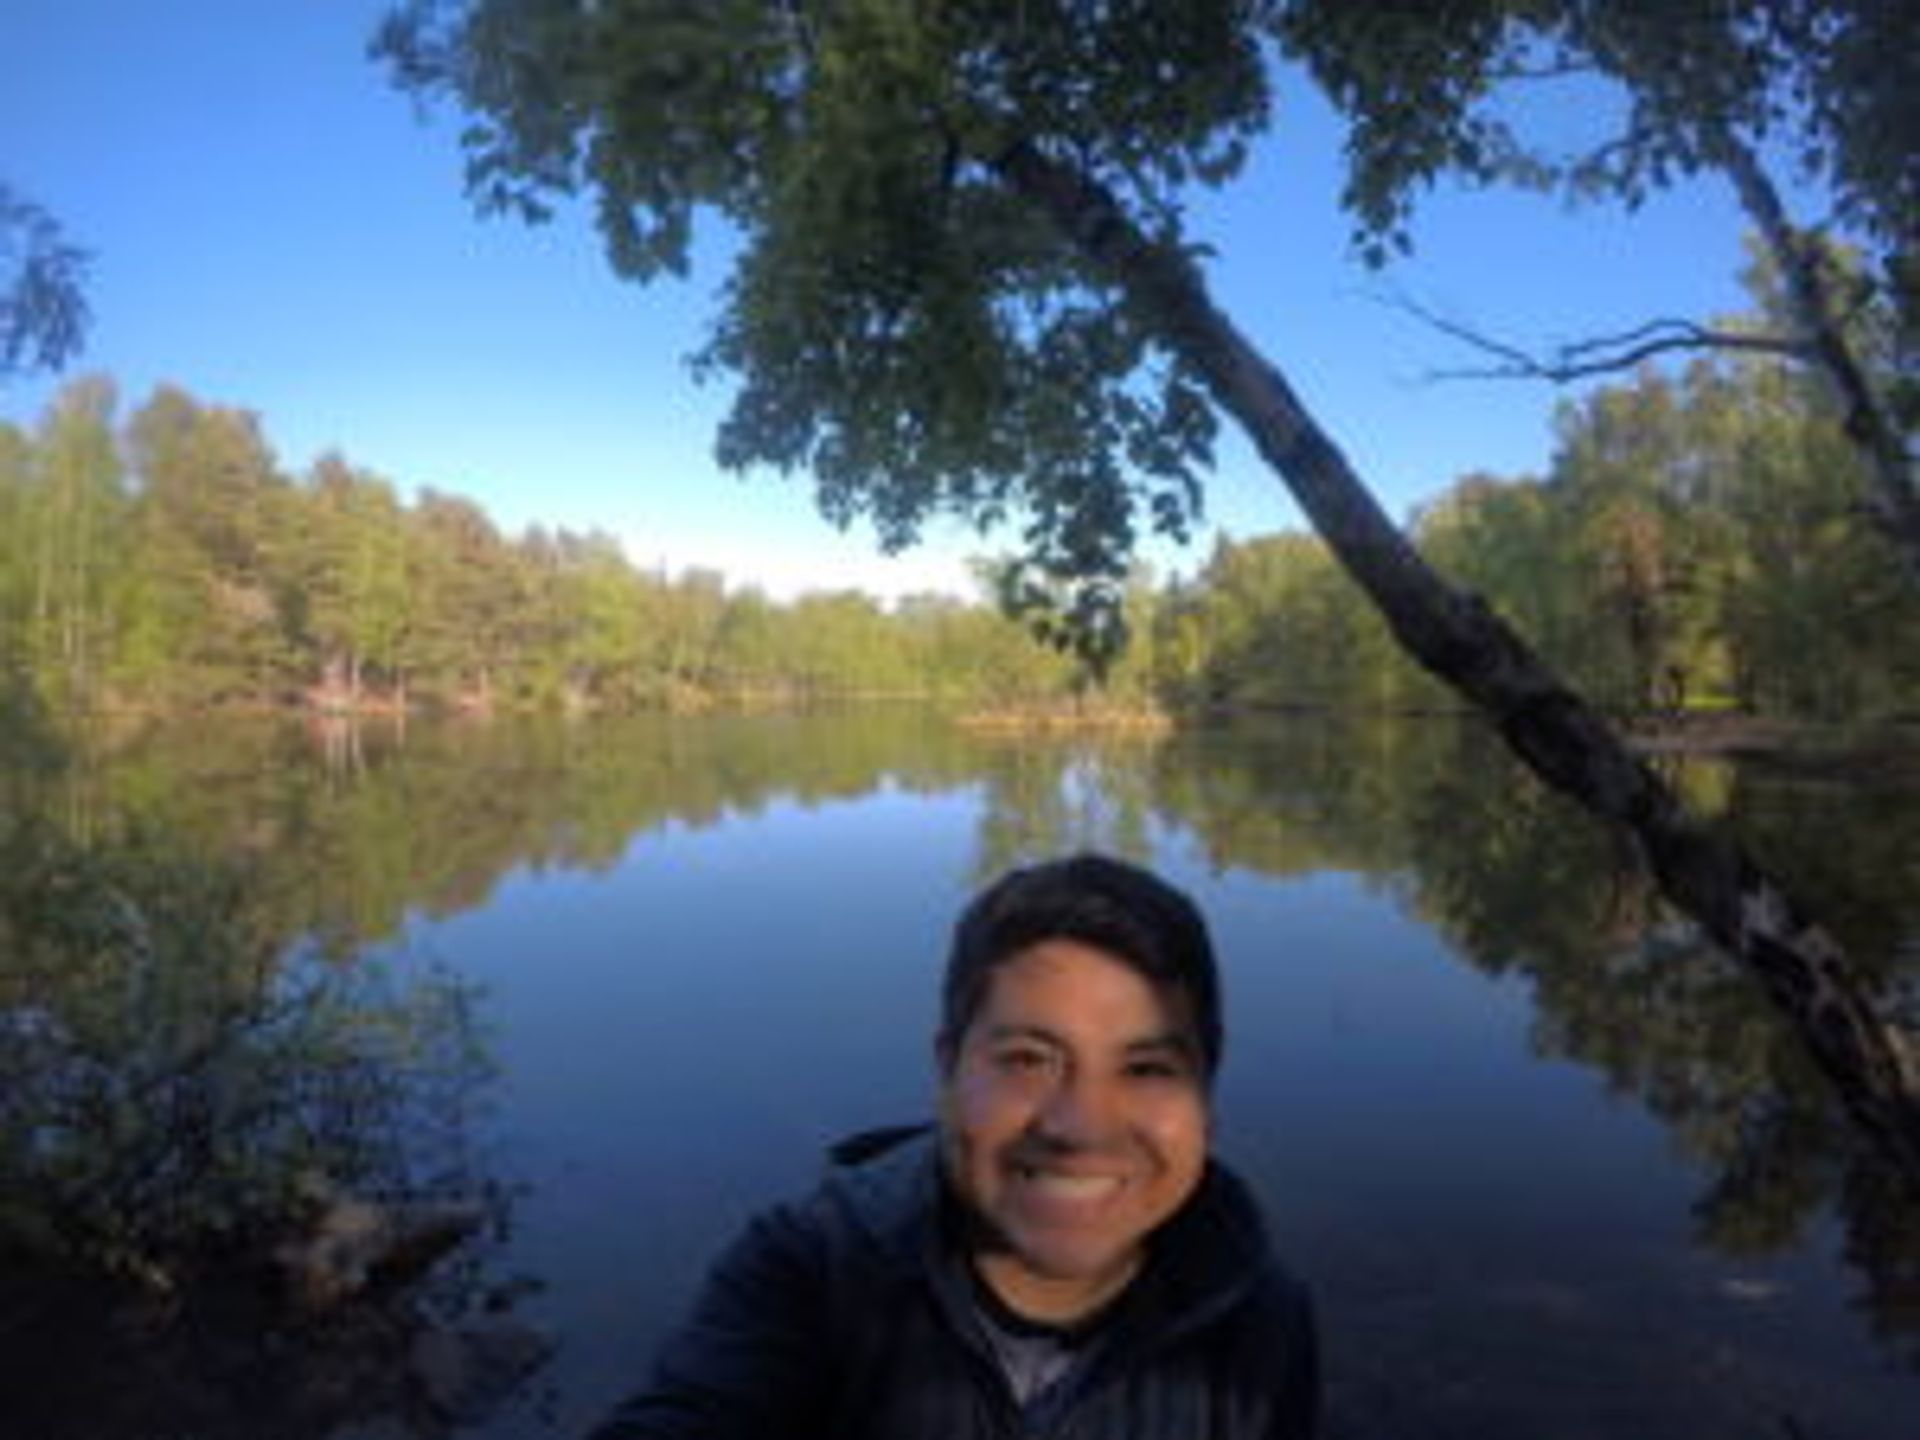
{"x":684,"y":1034}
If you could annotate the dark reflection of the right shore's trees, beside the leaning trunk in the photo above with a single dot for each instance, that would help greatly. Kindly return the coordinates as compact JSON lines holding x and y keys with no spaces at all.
{"x":1520,"y":886}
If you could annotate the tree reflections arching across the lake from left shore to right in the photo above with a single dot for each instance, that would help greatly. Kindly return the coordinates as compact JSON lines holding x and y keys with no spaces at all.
{"x":437,"y":817}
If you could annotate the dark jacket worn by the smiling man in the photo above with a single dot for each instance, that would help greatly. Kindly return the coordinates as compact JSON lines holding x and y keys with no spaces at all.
{"x":850,"y":1318}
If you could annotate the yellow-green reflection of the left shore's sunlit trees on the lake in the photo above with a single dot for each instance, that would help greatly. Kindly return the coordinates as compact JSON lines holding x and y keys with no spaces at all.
{"x":431,"y":819}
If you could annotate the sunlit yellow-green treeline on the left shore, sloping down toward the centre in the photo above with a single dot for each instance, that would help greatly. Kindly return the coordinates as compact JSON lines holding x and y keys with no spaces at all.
{"x":172,"y":562}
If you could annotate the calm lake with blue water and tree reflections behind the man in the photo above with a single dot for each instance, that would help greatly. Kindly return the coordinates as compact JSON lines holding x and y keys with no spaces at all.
{"x":1550,"y":1168}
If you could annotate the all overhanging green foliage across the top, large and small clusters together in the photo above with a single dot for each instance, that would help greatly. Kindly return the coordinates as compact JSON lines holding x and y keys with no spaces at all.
{"x":911,"y":333}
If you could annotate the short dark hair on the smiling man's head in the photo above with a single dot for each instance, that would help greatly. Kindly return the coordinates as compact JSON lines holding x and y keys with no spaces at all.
{"x":1113,"y":905}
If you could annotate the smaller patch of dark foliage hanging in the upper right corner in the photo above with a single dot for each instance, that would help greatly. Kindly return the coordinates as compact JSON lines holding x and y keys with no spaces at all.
{"x":1829,"y":84}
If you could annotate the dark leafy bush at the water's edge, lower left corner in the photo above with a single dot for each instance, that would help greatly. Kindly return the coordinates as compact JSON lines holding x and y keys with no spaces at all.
{"x":185,"y":1092}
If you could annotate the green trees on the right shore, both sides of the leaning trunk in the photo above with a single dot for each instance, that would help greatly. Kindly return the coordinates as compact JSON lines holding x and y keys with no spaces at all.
{"x":1698,"y":542}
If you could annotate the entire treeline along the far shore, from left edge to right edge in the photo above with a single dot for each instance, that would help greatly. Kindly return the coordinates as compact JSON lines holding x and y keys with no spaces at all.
{"x":1696,"y":544}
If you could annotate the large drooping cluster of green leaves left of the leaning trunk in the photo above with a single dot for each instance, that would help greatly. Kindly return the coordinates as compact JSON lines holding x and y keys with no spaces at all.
{"x":901,"y":327}
